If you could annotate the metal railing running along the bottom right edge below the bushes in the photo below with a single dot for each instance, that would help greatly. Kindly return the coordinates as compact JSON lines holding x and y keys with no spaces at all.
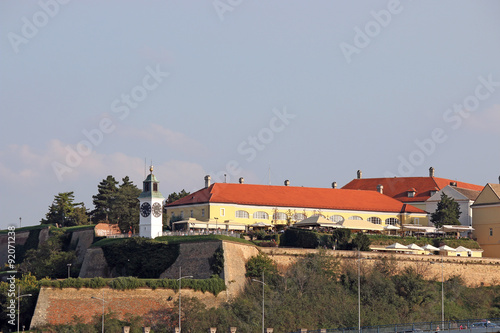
{"x":456,"y":326}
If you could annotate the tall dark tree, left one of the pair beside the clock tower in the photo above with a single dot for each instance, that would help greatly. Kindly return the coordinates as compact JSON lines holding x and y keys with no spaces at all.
{"x":104,"y":200}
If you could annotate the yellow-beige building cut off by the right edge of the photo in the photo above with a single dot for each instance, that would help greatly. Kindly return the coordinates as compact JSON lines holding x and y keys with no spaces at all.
{"x":486,"y":220}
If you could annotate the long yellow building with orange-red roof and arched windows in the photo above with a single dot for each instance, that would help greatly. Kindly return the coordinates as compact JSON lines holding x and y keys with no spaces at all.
{"x":239,"y":206}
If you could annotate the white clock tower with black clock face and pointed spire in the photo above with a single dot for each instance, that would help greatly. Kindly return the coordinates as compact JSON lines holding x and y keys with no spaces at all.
{"x":151,"y":207}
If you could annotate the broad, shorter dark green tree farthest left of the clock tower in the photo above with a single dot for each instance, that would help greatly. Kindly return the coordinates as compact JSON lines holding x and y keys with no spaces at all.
{"x":65,"y":212}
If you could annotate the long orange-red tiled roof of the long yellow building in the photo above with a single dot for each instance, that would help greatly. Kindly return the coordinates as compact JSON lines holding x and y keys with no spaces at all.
{"x":292,"y":196}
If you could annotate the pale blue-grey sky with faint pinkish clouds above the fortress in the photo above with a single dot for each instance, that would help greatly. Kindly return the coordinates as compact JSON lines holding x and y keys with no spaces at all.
{"x":309,"y":91}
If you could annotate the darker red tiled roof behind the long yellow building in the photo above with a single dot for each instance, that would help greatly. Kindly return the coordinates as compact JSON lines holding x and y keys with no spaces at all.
{"x":397,"y":187}
